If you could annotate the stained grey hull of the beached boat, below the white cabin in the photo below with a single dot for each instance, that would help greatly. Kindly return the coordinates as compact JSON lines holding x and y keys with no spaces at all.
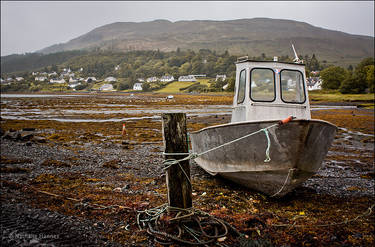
{"x":297,"y":150}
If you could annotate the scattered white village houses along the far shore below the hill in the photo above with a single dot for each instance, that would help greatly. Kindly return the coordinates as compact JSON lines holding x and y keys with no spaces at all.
{"x":72,"y":81}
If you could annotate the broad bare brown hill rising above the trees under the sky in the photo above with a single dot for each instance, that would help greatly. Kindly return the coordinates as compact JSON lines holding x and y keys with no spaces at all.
{"x":240,"y":37}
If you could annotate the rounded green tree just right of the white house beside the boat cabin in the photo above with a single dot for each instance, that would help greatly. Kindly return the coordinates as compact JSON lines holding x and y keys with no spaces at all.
{"x":333,"y":77}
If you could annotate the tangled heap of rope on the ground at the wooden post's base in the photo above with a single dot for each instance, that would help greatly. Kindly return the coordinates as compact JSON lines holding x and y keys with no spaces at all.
{"x":190,"y":226}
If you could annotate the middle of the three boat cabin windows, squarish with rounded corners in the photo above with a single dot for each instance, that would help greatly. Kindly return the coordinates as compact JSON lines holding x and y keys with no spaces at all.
{"x":262,"y":86}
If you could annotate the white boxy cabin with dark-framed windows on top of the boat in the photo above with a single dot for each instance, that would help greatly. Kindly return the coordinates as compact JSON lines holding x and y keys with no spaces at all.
{"x":269,"y":90}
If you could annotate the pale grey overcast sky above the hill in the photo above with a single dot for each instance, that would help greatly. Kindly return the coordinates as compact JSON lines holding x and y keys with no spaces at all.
{"x":29,"y":26}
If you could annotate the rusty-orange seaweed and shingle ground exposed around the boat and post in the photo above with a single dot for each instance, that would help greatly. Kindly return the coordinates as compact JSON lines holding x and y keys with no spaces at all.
{"x":71,"y":177}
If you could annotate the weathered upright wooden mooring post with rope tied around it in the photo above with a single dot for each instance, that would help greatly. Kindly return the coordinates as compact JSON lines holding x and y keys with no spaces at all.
{"x":175,"y":141}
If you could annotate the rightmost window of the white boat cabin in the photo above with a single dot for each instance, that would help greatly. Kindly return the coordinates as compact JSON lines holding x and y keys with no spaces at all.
{"x":292,"y":86}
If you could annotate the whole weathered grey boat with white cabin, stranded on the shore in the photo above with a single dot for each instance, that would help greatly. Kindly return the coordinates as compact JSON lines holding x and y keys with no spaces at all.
{"x":271,"y":144}
